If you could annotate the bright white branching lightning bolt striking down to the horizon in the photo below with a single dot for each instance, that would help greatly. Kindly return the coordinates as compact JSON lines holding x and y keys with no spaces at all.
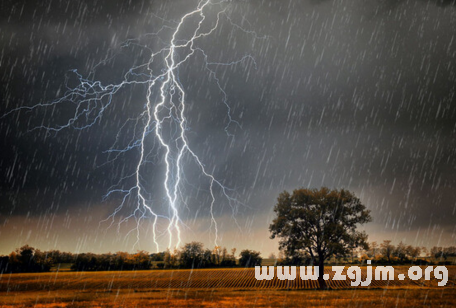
{"x":92,"y":99}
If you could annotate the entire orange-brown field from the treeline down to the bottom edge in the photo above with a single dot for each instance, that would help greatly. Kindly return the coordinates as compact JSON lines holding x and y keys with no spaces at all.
{"x":213,"y":288}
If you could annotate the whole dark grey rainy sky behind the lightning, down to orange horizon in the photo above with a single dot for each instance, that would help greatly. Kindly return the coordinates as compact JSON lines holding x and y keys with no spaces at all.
{"x":345,"y":94}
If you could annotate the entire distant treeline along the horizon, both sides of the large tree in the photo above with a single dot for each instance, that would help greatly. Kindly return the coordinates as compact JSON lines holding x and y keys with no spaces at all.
{"x":194,"y":255}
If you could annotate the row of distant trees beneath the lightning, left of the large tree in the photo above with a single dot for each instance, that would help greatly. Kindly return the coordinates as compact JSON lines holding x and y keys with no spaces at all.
{"x":192,"y":255}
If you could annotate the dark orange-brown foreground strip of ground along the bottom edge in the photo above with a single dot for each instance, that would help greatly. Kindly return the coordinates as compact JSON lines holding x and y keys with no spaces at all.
{"x":236,"y":298}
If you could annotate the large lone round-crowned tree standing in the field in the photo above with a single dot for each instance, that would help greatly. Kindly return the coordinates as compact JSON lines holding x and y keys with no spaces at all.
{"x":322,"y":222}
